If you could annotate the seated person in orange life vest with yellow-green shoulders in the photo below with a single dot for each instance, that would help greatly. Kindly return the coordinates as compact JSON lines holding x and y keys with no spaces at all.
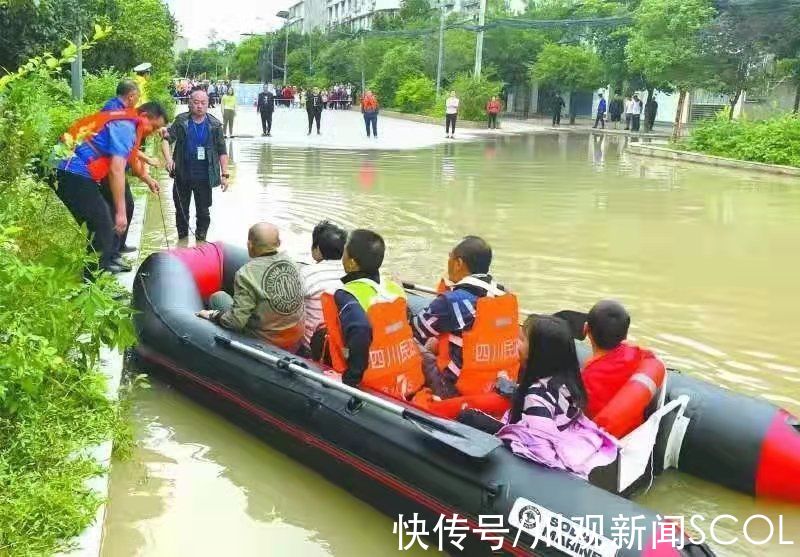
{"x":369,"y":337}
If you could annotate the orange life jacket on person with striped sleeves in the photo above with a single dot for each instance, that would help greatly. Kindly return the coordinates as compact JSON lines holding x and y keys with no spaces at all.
{"x":489,"y":349}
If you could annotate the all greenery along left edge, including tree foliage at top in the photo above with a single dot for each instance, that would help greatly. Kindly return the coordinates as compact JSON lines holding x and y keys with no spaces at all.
{"x":53,"y":404}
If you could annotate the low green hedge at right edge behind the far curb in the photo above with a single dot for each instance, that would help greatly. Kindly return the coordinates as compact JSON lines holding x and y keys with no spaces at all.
{"x":773,"y":141}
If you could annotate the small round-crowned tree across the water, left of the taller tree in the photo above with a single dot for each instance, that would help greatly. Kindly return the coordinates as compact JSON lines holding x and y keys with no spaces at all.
{"x":568,"y":67}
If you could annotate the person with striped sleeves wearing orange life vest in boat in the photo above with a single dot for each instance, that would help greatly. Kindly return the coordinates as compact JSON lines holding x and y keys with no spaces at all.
{"x":472,"y":327}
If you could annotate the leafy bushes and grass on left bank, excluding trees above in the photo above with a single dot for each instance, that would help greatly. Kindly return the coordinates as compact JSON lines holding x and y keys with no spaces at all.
{"x":52,"y":324}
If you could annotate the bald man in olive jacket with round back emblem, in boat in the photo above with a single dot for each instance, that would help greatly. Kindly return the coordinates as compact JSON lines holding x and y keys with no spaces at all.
{"x":267,"y":297}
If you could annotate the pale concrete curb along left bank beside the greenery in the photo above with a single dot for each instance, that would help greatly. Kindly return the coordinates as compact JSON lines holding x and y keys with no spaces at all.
{"x":89,"y":542}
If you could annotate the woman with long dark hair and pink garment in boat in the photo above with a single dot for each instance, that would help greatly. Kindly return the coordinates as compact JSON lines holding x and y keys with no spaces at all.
{"x":546,"y":423}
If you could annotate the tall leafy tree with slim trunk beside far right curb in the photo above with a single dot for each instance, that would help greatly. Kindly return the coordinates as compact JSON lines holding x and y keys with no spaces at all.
{"x":664,"y":45}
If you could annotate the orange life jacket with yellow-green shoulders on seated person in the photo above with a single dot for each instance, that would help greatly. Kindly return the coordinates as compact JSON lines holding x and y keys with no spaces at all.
{"x":395,"y":363}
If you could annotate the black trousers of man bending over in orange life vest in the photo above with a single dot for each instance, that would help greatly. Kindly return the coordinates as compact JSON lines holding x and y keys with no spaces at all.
{"x":86,"y":204}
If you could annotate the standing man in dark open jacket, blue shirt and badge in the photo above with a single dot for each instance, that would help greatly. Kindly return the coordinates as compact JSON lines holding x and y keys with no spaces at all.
{"x":200,"y":163}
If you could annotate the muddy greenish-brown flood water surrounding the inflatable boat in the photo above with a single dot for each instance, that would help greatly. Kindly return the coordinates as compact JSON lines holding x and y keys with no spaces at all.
{"x":704,"y":259}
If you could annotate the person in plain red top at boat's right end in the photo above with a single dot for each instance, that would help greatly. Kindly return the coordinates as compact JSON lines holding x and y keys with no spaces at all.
{"x":613,"y":361}
